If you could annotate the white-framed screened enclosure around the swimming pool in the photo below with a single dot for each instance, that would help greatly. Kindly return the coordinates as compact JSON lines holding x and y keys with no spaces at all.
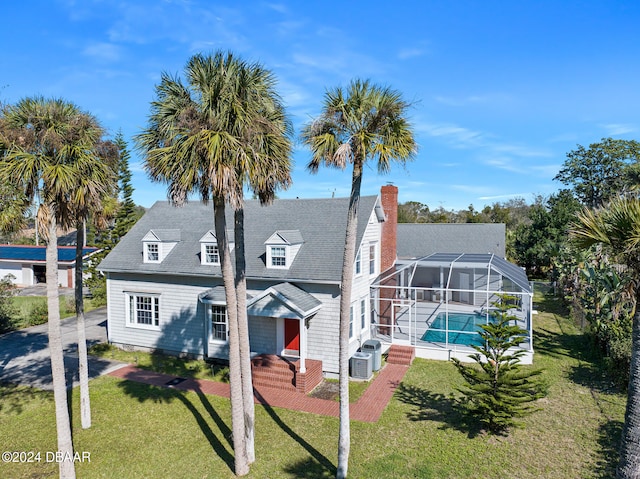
{"x":437,"y":303}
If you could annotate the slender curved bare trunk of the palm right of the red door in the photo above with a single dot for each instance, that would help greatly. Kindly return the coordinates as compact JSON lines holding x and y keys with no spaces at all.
{"x":344,"y":437}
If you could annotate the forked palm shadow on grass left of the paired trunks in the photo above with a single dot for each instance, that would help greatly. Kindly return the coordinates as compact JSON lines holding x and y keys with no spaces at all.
{"x":144,"y":392}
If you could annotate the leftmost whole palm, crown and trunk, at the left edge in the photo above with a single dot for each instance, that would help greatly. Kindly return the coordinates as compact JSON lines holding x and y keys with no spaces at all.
{"x":45,"y":154}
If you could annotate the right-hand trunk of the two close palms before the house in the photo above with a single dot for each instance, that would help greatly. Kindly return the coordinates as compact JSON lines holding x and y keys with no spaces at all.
{"x":243,"y":331}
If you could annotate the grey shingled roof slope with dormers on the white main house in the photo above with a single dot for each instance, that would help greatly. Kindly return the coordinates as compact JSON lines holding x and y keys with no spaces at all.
{"x":321,"y":222}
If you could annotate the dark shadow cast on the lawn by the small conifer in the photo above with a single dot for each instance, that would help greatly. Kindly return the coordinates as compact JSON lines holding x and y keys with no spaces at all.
{"x":429,"y":406}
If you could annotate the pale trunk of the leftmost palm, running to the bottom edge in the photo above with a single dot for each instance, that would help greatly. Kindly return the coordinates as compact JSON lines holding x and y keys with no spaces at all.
{"x":63,"y":424}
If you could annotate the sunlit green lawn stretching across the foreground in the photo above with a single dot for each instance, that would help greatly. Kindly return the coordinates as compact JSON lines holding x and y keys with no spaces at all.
{"x":141,"y":431}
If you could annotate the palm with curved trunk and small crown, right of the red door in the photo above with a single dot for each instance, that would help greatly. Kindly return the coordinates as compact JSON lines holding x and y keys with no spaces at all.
{"x":364,"y":122}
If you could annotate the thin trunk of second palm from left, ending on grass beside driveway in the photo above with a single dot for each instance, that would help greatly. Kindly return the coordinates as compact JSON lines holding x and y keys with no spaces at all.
{"x":83,"y":362}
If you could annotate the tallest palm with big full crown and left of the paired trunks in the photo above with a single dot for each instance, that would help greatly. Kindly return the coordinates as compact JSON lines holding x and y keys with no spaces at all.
{"x":207,"y":137}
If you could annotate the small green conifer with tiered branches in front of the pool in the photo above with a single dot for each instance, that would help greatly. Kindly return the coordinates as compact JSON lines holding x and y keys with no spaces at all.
{"x":500,"y":389}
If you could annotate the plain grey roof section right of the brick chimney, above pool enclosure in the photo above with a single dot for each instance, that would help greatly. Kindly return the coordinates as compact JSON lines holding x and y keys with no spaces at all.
{"x":416,"y":240}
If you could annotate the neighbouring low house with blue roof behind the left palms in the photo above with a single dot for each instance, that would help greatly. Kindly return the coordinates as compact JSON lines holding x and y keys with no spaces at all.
{"x":27,"y":264}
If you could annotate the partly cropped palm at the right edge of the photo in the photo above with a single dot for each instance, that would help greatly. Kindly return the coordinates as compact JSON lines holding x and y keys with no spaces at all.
{"x":618,"y":227}
